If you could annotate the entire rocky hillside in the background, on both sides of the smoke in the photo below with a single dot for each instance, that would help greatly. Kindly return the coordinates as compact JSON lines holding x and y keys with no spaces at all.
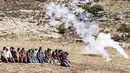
{"x":26,"y":19}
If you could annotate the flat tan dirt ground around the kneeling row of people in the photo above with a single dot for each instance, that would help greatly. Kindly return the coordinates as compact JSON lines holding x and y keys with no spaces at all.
{"x":80,"y":63}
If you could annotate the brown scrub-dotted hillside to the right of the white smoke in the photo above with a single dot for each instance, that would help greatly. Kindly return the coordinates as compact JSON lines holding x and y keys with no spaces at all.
{"x":115,"y":18}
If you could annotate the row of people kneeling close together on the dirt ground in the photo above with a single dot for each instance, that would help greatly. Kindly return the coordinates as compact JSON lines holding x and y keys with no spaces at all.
{"x":35,"y":56}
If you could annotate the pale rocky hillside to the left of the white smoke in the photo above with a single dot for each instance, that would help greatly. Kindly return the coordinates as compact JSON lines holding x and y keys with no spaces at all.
{"x":24,"y":20}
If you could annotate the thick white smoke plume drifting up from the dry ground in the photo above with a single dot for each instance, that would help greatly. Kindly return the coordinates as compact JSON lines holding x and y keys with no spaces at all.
{"x":85,"y":27}
